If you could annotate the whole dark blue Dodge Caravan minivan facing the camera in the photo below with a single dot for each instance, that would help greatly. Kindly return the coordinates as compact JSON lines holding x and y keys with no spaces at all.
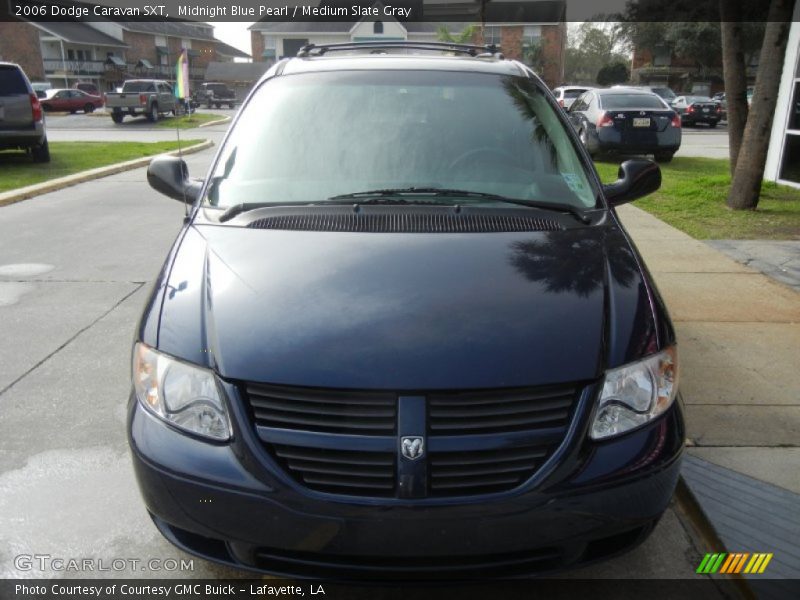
{"x":403,"y":333}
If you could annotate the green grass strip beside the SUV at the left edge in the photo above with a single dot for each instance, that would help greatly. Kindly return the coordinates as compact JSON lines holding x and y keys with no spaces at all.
{"x":18,"y":170}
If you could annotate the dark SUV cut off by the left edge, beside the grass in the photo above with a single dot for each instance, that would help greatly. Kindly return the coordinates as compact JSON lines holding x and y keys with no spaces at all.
{"x":22,"y":124}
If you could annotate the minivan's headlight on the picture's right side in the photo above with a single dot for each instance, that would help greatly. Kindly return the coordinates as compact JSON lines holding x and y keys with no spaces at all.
{"x":635,"y":394}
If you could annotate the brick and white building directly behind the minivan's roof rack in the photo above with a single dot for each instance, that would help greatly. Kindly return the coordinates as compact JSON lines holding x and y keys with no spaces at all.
{"x":539,"y":42}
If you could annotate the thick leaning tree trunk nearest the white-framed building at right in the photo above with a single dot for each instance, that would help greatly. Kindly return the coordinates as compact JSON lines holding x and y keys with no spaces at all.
{"x":749,"y":171}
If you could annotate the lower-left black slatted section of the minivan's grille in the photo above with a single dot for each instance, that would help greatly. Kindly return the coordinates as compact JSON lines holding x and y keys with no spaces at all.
{"x":340,"y":472}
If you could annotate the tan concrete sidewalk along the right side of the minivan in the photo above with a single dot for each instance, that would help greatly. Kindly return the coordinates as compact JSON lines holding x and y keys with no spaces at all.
{"x":739,"y":350}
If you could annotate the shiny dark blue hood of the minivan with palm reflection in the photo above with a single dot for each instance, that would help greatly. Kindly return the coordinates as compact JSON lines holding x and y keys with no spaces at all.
{"x":400,"y":311}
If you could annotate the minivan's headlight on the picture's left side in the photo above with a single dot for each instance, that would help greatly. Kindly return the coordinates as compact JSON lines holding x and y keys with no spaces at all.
{"x":179,"y":393}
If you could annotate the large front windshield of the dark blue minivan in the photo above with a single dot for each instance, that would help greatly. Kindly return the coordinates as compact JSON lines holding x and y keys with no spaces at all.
{"x":309,"y":137}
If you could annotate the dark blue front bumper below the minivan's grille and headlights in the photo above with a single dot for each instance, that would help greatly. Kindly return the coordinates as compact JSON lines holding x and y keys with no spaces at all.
{"x":224,"y":503}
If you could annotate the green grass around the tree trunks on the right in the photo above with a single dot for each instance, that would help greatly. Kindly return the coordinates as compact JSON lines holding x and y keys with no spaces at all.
{"x":692,"y":199}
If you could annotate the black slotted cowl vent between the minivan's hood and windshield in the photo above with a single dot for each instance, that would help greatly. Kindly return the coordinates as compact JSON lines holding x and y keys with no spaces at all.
{"x":406,"y":222}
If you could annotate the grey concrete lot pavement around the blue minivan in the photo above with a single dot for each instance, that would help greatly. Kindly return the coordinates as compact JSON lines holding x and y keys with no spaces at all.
{"x":75,"y":269}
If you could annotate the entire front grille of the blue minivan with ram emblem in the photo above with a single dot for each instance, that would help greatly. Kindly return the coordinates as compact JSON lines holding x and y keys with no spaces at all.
{"x":349,"y":442}
